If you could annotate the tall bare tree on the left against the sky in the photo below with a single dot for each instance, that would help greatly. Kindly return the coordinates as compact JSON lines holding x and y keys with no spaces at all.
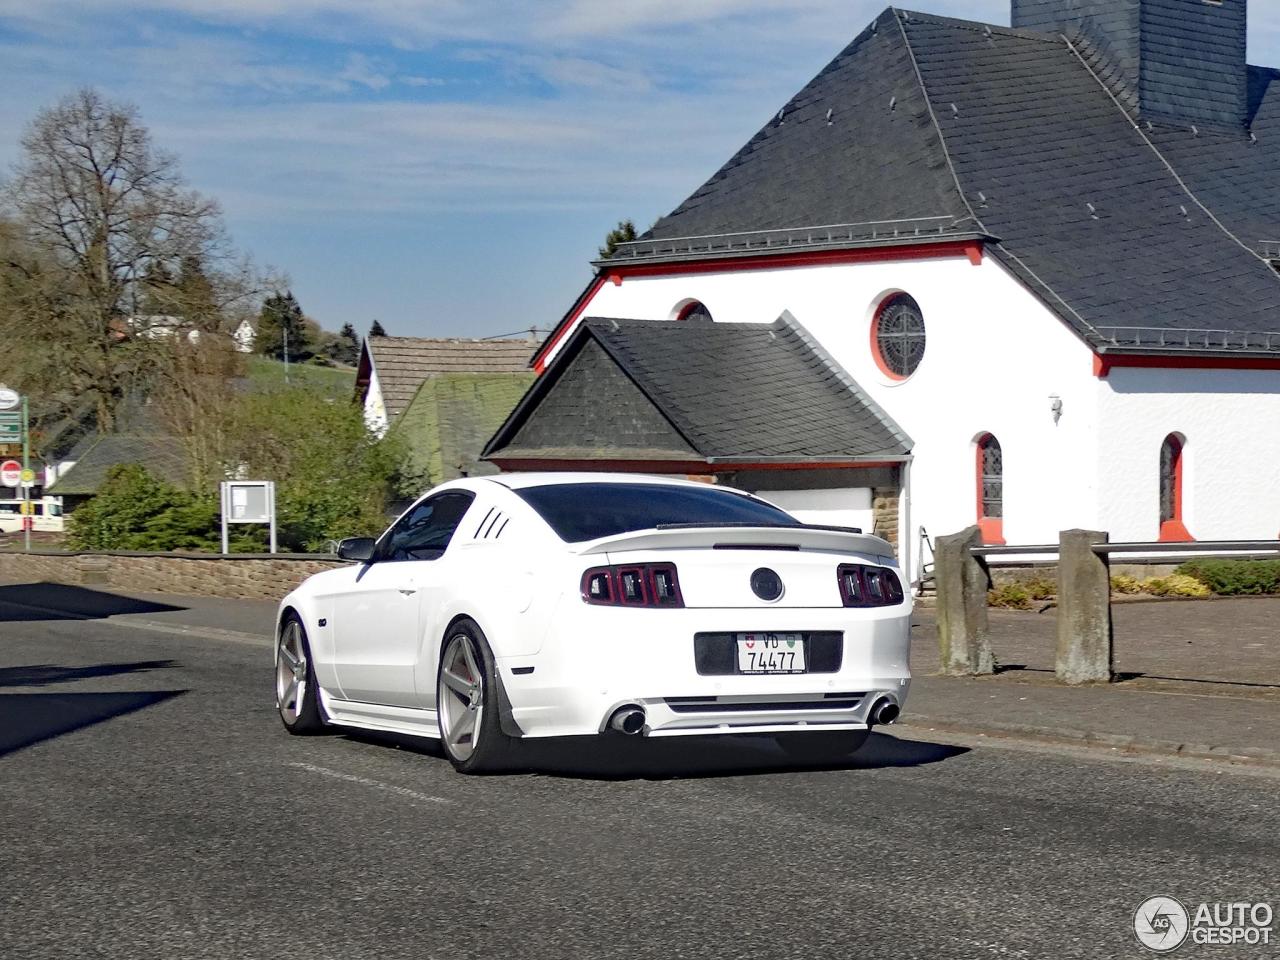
{"x":111,"y":254}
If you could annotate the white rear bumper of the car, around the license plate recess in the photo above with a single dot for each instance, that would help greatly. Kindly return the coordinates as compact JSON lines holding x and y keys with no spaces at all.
{"x":600,"y":660}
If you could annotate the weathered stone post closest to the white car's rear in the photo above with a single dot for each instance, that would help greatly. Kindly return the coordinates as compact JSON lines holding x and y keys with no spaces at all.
{"x":962,"y":579}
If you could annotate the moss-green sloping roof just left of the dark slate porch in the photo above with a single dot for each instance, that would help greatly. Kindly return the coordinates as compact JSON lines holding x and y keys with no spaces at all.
{"x":452,"y":417}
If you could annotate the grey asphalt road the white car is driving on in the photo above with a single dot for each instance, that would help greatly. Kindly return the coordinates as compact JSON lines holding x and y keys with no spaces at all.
{"x":152,"y":806}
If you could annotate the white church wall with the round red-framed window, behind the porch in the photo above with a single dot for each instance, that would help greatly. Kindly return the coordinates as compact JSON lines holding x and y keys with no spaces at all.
{"x":994,"y":358}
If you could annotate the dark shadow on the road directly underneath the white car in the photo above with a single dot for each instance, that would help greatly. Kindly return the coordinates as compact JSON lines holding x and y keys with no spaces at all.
{"x":619,"y":758}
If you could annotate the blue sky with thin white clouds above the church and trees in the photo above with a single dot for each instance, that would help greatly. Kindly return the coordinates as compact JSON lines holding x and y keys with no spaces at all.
{"x":447,"y":167}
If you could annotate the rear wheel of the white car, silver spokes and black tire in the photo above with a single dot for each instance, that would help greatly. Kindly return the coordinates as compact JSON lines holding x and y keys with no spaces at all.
{"x":488,"y":749}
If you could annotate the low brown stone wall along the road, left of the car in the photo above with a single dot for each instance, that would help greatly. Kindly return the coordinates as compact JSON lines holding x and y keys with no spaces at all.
{"x":236,"y":577}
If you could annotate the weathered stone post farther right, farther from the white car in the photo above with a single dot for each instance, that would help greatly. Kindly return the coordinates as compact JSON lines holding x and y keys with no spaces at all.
{"x":1085,"y":651}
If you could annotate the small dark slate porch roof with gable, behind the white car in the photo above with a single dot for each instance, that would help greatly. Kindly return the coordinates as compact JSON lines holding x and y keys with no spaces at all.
{"x":725,"y":392}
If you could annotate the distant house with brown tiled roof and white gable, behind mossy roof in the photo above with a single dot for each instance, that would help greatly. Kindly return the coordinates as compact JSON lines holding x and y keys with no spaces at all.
{"x":394,"y":369}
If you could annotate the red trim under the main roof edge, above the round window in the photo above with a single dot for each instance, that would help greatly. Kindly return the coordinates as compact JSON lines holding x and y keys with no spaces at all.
{"x":970,"y":249}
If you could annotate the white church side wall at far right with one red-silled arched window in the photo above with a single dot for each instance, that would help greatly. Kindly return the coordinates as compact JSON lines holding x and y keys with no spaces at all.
{"x":1231,"y":459}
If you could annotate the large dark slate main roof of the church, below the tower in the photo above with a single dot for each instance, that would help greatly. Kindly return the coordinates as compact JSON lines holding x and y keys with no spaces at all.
{"x":1139,"y":239}
